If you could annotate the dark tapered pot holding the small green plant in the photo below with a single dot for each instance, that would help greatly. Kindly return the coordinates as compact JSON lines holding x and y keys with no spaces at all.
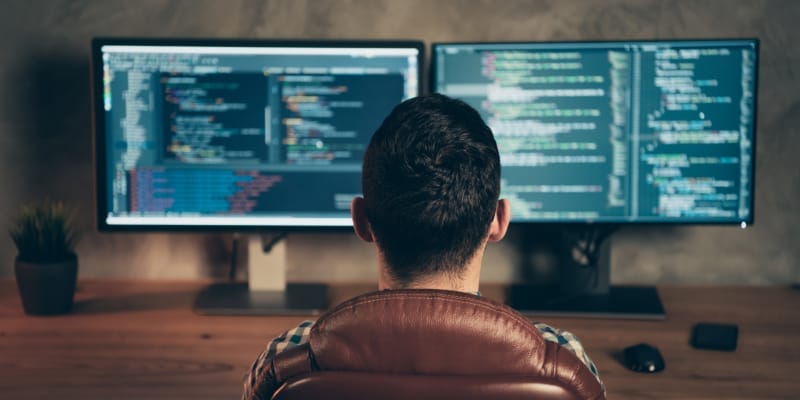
{"x":47,"y":289}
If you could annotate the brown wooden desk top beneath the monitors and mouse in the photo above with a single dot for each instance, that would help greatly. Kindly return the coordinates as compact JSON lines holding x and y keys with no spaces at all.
{"x":141,"y":340}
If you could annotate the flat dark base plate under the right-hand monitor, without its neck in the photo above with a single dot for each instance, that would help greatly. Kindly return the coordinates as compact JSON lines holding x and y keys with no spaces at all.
{"x":621,"y":302}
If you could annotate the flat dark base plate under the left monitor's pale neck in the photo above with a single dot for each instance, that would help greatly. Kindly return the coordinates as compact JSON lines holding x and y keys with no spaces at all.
{"x":237,"y":299}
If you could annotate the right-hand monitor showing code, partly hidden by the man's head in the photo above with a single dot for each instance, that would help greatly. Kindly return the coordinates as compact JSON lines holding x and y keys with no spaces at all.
{"x":615,"y":132}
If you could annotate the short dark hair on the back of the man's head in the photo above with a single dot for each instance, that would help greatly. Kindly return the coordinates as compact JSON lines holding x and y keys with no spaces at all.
{"x":431,"y":182}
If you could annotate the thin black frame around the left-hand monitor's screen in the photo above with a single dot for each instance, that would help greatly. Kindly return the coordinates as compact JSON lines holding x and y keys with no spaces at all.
{"x":99,"y":121}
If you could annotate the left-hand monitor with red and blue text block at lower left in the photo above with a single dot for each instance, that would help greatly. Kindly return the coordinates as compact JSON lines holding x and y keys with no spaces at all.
{"x":231,"y":134}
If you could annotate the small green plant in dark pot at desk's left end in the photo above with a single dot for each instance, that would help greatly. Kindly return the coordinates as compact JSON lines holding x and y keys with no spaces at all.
{"x":46,"y":266}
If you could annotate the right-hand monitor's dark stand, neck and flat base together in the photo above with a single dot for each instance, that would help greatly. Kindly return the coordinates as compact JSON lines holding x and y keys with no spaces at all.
{"x":585,"y":292}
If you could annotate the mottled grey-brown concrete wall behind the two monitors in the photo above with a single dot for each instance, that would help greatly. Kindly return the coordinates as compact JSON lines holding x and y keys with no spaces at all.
{"x":45,"y":128}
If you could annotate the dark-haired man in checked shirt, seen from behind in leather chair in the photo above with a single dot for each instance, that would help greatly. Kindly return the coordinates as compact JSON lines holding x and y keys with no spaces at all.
{"x":431,"y":185}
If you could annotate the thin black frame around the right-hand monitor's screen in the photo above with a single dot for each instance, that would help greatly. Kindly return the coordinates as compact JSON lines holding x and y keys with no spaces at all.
{"x":744,"y":223}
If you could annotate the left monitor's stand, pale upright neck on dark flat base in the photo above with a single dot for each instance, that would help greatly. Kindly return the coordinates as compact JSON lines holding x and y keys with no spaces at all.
{"x":266,"y":292}
